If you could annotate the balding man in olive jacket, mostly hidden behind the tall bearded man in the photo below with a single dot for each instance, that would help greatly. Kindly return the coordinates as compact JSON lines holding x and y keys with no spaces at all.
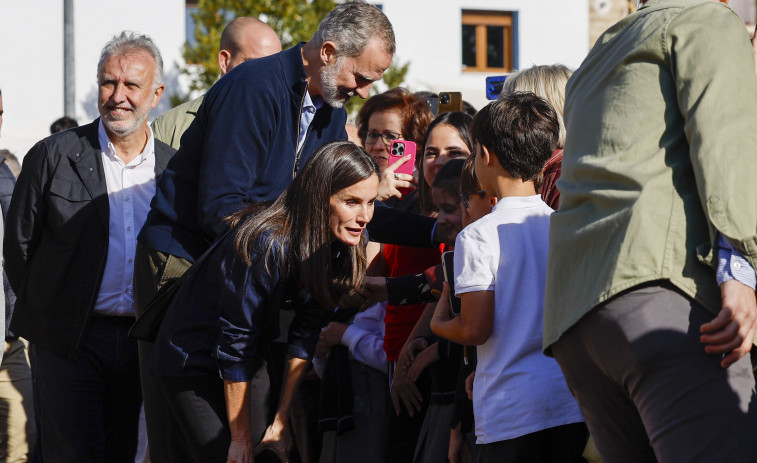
{"x":243,"y":39}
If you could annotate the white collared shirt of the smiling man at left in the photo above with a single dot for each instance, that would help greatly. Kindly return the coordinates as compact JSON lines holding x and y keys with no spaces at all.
{"x":130,"y":190}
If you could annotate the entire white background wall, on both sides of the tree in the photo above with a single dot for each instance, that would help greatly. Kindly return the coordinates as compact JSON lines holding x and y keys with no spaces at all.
{"x":428,"y":35}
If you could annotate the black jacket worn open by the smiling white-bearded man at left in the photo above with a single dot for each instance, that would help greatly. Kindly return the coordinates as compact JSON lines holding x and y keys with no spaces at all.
{"x":56,"y":240}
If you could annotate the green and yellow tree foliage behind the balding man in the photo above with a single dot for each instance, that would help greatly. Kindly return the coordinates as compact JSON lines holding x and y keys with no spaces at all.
{"x":293,"y":20}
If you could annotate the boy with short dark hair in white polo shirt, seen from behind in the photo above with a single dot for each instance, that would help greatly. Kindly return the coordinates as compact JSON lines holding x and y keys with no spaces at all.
{"x":523,"y":408}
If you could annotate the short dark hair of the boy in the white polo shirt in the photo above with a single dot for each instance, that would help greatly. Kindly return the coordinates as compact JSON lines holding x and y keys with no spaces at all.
{"x":521,"y":130}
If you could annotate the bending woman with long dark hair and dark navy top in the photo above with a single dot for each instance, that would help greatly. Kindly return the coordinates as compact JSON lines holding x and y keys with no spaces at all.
{"x":306,"y":249}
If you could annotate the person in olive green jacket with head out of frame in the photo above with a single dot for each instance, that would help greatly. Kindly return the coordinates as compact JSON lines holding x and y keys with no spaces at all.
{"x":650,"y":304}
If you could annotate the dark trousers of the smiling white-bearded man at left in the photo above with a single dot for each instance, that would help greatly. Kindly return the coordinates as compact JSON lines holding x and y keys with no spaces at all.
{"x":89,"y":407}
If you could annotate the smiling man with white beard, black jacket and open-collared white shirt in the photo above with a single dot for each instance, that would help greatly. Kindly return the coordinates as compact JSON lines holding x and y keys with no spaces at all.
{"x":72,"y":223}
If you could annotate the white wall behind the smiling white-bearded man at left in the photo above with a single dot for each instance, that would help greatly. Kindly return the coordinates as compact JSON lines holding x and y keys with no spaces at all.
{"x":31,"y":58}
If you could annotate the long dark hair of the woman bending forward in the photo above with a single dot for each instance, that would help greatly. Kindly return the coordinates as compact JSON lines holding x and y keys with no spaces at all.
{"x":295,"y":229}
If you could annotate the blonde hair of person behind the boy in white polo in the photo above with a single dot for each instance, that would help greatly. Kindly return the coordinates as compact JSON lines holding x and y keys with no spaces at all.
{"x":546,"y":81}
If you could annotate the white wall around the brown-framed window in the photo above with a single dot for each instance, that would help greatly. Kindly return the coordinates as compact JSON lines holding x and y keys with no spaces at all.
{"x":429,"y":34}
